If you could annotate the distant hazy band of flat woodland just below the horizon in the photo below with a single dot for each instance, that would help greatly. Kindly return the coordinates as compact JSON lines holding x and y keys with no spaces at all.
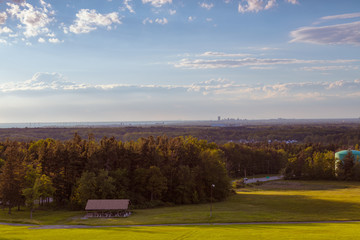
{"x":340,"y":134}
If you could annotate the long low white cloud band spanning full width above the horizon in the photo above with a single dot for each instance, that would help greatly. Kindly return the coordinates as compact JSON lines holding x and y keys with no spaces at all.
{"x":213,"y":88}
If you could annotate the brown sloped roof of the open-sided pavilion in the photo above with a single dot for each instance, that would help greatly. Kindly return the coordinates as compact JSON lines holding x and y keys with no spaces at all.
{"x":107,"y":204}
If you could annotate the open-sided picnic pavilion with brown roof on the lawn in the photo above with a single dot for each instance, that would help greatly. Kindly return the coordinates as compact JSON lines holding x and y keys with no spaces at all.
{"x":110,"y":208}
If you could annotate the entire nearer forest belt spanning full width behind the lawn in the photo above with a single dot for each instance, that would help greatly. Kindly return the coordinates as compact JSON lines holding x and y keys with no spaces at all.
{"x":153,"y":171}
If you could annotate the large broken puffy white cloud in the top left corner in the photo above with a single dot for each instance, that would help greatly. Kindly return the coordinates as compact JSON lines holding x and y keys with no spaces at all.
{"x":34,"y":20}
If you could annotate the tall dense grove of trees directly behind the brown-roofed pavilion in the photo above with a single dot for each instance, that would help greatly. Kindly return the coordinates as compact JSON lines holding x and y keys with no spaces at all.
{"x":149,"y":171}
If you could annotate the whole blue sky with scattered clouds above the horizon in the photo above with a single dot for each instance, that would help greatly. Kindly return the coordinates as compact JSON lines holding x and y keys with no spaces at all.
{"x":160,"y":60}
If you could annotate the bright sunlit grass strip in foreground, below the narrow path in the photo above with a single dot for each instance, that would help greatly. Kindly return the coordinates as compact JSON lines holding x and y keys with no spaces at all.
{"x":248,"y":232}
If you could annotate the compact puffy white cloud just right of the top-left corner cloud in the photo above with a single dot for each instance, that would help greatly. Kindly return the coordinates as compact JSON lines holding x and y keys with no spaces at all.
{"x":89,"y":20}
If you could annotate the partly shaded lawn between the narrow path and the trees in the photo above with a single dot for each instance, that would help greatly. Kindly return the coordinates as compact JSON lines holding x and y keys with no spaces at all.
{"x":275,"y":201}
